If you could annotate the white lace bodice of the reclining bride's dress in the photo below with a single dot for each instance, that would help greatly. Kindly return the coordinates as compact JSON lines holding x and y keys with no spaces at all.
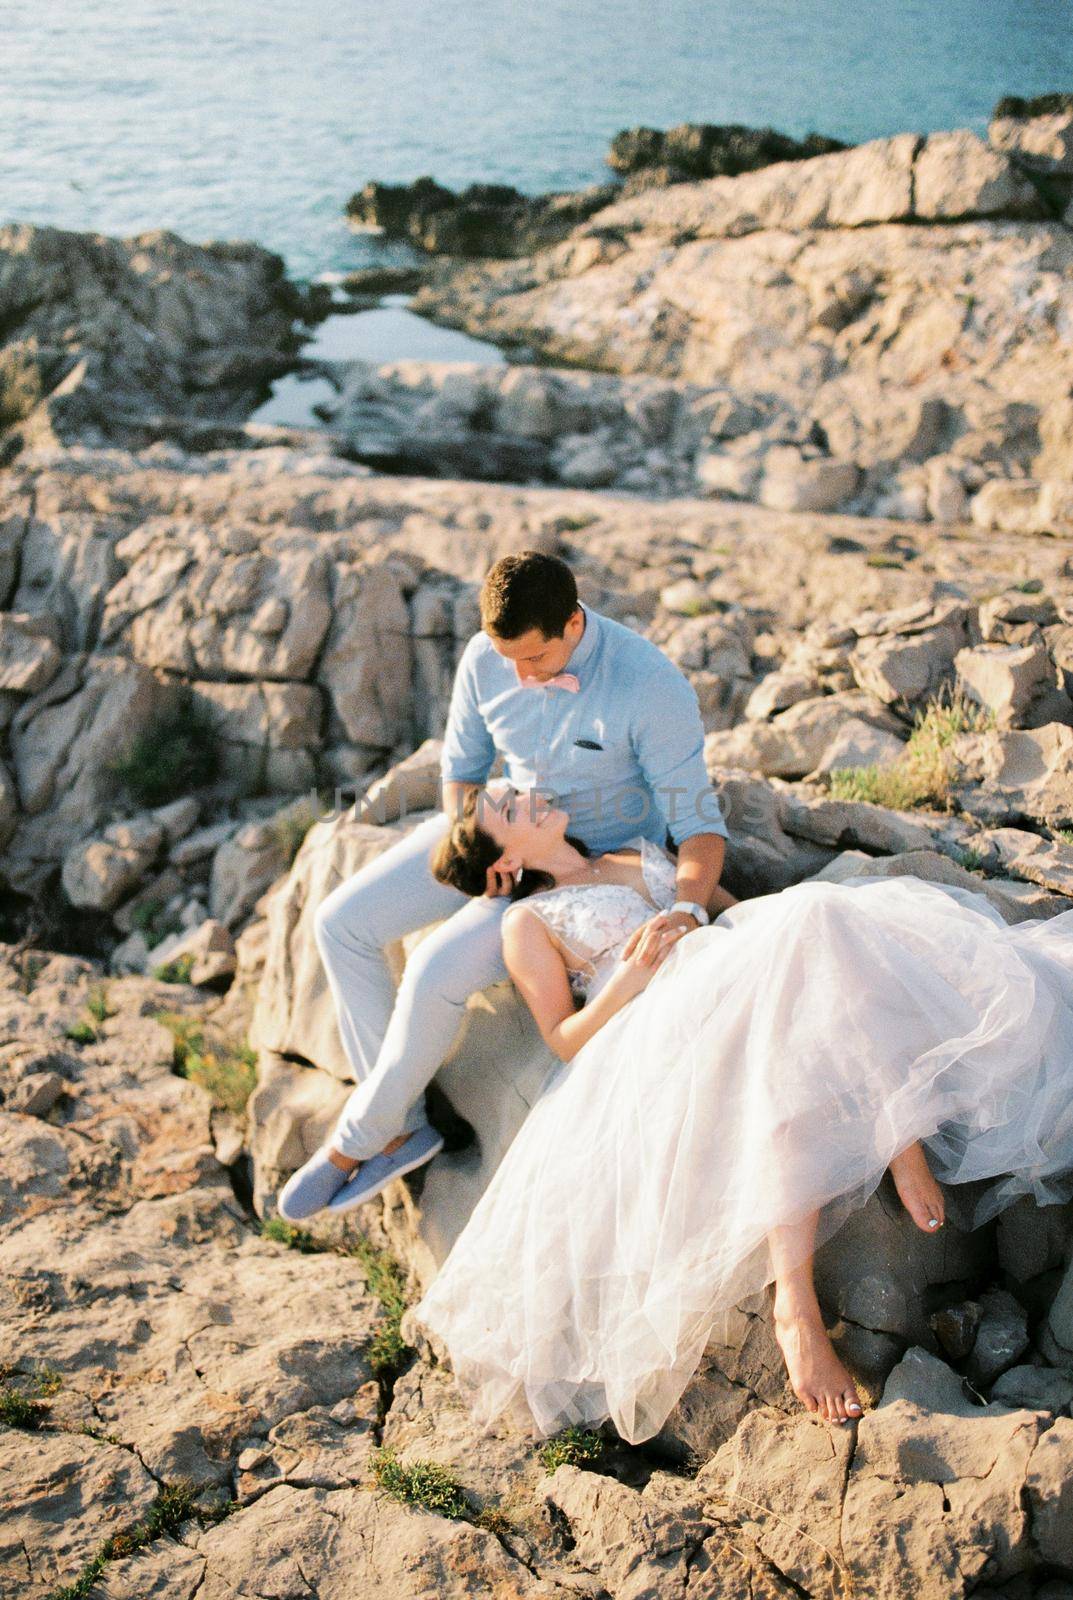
{"x":594,"y":921}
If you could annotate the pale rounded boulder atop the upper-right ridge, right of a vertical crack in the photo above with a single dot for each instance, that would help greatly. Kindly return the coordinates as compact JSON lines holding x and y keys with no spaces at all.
{"x":957,"y":175}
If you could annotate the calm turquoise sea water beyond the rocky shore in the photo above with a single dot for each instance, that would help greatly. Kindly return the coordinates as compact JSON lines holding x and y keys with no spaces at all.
{"x":237,"y":119}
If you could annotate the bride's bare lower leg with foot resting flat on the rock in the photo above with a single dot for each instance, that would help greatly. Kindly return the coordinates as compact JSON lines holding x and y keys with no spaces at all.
{"x":816,"y":1375}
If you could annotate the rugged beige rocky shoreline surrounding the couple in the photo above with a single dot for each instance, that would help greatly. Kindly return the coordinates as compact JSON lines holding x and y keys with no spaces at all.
{"x":212,"y":639}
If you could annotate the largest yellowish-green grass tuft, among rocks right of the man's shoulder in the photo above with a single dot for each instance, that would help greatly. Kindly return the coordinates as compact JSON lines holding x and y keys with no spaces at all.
{"x":922,"y":774}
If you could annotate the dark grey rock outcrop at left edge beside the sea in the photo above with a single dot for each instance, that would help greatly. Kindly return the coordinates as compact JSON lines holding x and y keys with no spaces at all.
{"x":126,"y":334}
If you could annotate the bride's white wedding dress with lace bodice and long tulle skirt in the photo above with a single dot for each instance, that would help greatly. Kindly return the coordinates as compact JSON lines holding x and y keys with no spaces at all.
{"x":773,"y":1066}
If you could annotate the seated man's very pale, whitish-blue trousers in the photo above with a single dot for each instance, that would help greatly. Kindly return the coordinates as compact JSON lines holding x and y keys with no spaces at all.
{"x":397,"y":1041}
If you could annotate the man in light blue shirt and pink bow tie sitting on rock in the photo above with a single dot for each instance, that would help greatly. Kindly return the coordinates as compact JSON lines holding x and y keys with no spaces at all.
{"x":583,"y":710}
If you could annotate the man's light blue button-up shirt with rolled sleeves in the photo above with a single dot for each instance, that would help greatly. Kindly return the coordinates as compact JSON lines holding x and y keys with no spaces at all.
{"x":639,"y":767}
